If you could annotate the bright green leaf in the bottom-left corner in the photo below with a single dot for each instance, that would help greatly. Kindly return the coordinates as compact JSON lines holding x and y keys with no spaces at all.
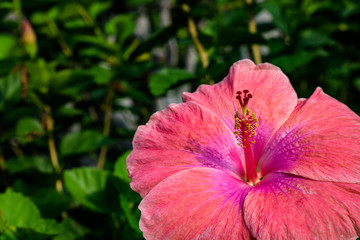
{"x":20,"y":212}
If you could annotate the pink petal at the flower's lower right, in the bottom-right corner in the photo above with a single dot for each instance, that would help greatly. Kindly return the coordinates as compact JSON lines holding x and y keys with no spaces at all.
{"x":284,"y":207}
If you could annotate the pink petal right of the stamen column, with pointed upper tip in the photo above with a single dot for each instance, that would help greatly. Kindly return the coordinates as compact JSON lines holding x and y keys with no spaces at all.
{"x":320,"y":140}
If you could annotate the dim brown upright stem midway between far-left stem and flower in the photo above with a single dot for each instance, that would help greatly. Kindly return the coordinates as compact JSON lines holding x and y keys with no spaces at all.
{"x":107,"y":124}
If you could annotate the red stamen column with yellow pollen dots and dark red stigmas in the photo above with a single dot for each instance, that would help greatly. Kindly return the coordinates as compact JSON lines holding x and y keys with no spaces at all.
{"x":245,"y":132}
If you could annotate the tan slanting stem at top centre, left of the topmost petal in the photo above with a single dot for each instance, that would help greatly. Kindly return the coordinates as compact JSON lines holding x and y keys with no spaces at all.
{"x":194,"y":35}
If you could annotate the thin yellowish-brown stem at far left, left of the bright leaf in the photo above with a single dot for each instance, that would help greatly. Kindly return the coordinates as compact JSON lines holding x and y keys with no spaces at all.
{"x":52,"y":147}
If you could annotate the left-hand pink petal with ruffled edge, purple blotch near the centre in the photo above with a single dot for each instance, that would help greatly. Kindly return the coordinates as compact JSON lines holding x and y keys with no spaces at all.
{"x":180,"y":137}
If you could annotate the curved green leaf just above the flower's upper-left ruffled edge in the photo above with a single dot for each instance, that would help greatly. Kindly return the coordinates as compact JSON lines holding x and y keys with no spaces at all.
{"x":165,"y":78}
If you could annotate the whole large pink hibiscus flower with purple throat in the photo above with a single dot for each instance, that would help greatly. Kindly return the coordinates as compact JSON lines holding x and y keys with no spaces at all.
{"x":246,"y":159}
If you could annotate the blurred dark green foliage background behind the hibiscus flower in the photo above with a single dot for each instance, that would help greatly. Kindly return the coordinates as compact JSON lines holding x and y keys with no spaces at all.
{"x":78,"y":77}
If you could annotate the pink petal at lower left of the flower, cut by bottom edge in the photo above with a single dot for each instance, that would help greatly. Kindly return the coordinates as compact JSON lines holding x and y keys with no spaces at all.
{"x":199,"y":203}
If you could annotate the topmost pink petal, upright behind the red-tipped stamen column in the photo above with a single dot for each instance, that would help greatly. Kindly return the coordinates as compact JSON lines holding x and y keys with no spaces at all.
{"x":273,"y":97}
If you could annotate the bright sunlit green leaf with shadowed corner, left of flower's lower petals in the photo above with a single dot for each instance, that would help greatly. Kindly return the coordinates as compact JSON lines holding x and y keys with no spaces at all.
{"x":92,"y":187}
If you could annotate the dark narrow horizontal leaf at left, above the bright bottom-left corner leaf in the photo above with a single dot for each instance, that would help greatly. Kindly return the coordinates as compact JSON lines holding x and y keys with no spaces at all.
{"x":26,"y":163}
